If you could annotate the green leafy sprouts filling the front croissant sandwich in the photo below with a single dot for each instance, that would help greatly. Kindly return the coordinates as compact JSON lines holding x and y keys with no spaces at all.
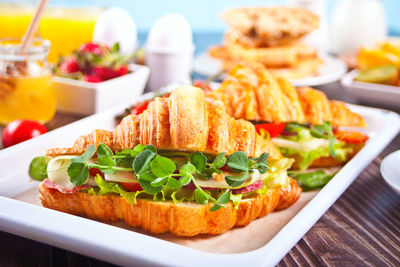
{"x":157,"y":173}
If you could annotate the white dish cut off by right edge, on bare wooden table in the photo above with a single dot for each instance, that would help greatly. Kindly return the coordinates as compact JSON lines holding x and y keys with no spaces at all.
{"x":390,"y":170}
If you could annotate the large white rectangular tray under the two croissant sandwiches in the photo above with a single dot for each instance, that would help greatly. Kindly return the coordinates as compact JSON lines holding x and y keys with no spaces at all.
{"x":20,"y":215}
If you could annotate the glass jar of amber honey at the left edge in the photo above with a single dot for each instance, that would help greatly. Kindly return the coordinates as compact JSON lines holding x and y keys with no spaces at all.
{"x":26,"y":83}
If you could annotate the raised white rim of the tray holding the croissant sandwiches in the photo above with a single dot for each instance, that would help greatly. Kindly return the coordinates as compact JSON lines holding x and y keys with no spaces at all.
{"x":112,"y":249}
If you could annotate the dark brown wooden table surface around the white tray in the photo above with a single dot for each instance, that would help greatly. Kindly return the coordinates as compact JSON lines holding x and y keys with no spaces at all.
{"x":361,"y":229}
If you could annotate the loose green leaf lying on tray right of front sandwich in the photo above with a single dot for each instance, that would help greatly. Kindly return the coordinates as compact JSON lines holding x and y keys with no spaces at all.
{"x":311,"y":180}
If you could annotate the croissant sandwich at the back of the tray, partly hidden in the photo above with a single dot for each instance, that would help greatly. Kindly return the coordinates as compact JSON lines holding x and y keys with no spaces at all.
{"x":302,"y":122}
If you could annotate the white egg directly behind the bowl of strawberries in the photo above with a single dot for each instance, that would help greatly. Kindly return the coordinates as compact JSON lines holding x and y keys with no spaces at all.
{"x":115,"y":25}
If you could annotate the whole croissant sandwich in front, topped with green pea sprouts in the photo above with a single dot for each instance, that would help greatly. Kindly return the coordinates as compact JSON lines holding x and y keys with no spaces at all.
{"x":182,"y":166}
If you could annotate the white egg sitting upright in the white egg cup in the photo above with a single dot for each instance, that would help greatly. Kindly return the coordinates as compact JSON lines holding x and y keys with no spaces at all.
{"x":170,"y":33}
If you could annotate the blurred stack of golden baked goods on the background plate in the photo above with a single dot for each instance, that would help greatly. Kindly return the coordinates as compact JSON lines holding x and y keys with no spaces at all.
{"x":270,"y":36}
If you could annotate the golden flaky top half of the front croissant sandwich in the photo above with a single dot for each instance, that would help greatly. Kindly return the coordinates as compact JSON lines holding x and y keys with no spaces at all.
{"x":184,"y":121}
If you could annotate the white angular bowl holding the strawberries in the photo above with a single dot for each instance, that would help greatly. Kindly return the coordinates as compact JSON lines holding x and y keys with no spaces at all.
{"x":86,"y":98}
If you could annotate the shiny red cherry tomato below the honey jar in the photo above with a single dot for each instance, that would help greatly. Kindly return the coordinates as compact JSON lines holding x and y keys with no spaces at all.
{"x":20,"y":130}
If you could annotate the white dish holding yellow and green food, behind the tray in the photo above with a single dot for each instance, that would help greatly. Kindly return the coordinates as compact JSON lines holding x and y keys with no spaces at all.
{"x":371,"y":92}
